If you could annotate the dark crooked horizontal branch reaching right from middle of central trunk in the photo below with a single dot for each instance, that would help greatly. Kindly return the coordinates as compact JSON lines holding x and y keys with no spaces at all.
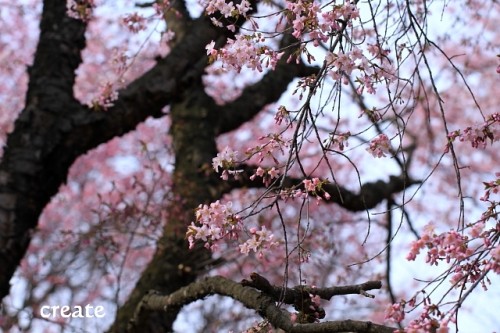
{"x":370,"y":194}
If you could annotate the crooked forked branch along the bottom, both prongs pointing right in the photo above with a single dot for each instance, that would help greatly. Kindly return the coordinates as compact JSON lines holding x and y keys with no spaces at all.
{"x":260,"y":295}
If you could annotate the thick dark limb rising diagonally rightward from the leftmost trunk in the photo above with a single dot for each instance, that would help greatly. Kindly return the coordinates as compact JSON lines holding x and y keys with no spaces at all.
{"x":169,"y":81}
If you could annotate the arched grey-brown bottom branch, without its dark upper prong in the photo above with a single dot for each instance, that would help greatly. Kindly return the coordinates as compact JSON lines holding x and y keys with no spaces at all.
{"x":264,"y":304}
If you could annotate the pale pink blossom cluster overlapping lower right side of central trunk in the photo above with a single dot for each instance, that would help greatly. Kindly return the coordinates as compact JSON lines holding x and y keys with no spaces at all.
{"x":214,"y":222}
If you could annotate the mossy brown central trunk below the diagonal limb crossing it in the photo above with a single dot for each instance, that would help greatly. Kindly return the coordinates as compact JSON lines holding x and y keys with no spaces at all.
{"x":174,"y":265}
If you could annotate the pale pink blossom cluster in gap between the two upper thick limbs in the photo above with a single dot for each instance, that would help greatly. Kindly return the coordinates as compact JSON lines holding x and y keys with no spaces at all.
{"x":244,"y":51}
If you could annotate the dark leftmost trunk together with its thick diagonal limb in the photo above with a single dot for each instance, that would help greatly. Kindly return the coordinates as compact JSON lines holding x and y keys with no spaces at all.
{"x":54,"y":129}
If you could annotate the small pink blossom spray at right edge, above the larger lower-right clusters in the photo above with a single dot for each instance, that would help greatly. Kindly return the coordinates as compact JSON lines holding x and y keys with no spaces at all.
{"x":479,"y":135}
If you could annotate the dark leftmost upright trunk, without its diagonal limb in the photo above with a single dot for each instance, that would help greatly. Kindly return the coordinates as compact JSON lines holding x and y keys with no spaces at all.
{"x":27,"y":176}
